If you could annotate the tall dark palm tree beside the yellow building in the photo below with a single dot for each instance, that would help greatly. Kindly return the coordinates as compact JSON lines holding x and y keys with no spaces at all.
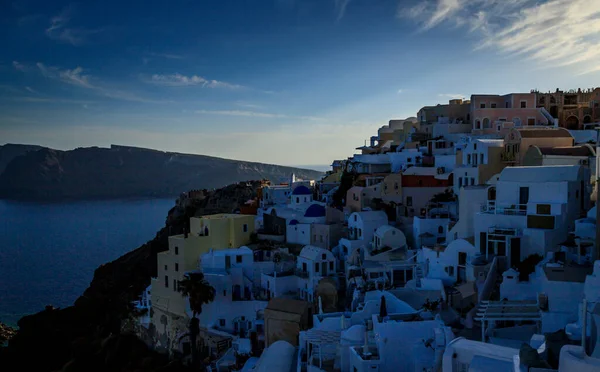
{"x":199,"y":292}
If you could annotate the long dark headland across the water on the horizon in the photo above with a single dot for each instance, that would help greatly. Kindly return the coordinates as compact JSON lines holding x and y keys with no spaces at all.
{"x":121,"y":172}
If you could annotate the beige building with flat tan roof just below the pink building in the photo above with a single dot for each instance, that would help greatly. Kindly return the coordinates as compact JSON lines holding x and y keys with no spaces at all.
{"x":517,"y":141}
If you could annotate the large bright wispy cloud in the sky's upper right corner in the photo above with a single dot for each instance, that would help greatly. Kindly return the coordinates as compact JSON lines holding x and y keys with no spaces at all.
{"x":554,"y":33}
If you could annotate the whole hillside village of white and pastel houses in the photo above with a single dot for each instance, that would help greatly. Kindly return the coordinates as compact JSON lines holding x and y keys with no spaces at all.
{"x":462,"y":239}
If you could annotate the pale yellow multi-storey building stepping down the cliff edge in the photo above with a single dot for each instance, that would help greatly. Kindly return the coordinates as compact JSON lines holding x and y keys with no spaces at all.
{"x":219,"y":231}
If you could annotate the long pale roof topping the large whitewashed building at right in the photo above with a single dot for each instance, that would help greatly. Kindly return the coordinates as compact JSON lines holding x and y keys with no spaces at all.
{"x":547,"y":173}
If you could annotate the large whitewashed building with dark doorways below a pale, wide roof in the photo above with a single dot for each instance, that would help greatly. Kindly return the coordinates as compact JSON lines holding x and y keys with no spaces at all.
{"x":532,"y":211}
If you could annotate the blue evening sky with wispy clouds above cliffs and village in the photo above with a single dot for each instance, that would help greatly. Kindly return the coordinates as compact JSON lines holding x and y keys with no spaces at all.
{"x":277,"y":81}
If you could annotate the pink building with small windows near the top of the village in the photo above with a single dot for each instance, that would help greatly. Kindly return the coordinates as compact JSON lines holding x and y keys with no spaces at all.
{"x":492,"y":113}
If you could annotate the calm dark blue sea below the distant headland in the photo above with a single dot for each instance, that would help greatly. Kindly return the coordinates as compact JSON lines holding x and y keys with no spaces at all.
{"x":48,"y":252}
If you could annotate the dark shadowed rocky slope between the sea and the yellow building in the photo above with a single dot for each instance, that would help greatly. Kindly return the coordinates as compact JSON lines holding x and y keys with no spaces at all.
{"x":87,"y":336}
